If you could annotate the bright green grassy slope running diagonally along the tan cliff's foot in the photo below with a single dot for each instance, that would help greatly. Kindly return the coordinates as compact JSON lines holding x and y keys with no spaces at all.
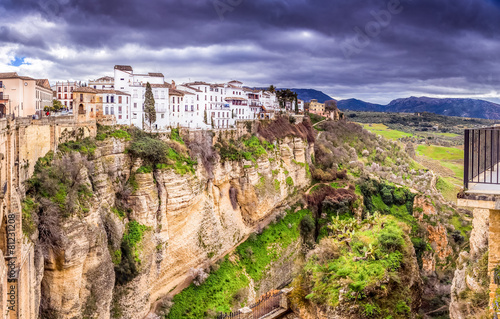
{"x":219,"y":293}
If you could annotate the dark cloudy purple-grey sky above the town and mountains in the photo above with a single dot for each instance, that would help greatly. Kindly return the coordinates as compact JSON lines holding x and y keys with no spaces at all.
{"x":374,"y":50}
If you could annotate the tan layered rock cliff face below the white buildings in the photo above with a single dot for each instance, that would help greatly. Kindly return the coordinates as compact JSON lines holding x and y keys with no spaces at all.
{"x":190,"y":220}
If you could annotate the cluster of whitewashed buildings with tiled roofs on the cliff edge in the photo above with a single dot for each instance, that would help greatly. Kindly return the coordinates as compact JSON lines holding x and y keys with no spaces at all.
{"x":195,"y":105}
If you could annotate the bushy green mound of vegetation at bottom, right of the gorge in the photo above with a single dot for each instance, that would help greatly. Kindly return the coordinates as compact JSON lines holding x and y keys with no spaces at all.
{"x":360,"y":263}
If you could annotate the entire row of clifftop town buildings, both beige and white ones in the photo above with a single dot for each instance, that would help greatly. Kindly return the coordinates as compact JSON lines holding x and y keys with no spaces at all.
{"x":120,"y":100}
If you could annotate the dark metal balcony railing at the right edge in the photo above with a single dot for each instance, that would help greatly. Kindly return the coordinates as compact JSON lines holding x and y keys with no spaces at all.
{"x":482,"y":156}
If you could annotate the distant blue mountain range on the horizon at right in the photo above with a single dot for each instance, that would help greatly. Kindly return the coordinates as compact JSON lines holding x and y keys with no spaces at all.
{"x":449,"y":107}
